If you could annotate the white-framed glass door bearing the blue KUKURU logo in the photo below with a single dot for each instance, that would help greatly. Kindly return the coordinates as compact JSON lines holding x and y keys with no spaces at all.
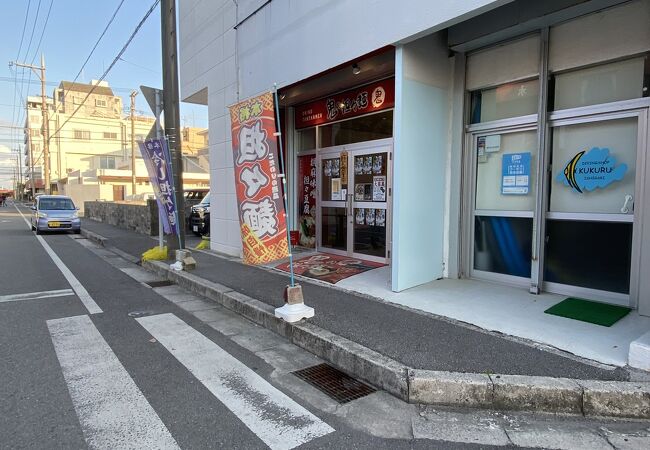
{"x":592,"y":187}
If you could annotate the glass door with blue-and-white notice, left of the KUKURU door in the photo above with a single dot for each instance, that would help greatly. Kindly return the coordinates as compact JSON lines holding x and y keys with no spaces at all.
{"x":504,"y":163}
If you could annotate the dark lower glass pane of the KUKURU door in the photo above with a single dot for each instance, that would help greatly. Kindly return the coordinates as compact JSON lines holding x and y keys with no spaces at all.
{"x":575,"y":257}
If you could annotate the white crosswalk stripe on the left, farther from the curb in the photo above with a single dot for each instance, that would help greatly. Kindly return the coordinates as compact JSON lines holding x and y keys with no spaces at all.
{"x":112,"y":411}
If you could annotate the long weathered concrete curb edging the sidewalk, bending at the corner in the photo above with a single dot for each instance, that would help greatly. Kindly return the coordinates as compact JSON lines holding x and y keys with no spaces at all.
{"x":494,"y":391}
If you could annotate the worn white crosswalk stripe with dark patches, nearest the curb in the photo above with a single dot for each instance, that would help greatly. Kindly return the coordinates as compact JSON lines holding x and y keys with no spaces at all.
{"x":276,"y":419}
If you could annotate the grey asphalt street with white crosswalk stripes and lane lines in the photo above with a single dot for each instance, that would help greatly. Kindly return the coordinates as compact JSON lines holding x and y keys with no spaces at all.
{"x":93,"y":357}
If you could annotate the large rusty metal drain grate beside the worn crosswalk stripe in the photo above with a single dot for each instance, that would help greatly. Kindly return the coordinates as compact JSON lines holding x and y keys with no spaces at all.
{"x":334,"y":383}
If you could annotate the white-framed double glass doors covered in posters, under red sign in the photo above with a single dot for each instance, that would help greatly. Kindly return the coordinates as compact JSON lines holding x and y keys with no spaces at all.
{"x":354,"y":197}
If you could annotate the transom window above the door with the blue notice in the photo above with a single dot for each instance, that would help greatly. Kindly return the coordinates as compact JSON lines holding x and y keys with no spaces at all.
{"x":505,"y":101}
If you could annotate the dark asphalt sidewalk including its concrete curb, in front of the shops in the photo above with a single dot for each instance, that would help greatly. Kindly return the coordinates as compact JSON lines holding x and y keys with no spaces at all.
{"x":414,"y":355}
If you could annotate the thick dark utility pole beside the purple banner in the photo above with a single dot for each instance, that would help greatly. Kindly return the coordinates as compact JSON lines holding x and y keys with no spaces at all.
{"x":171,"y":111}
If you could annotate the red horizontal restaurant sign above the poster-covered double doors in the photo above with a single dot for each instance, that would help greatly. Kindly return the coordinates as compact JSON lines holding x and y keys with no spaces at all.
{"x":370,"y":98}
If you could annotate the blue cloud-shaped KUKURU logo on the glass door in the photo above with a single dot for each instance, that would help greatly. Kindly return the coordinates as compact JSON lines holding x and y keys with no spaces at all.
{"x":591,"y":169}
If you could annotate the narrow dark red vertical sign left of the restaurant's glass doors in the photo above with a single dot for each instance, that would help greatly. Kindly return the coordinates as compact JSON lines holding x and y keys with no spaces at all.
{"x":307,"y":200}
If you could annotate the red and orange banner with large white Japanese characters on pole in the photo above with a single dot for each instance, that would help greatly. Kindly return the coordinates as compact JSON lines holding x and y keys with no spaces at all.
{"x":262,"y":216}
